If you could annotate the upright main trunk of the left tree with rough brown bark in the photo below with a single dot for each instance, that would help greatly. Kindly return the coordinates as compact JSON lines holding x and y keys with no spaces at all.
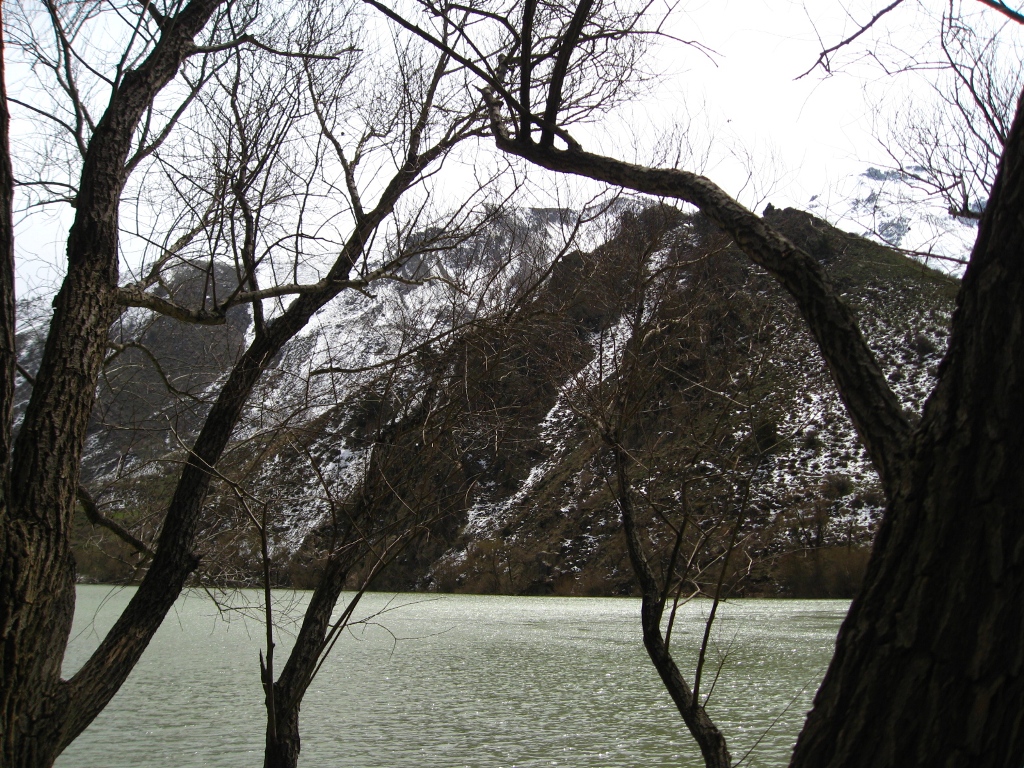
{"x":37,"y":573}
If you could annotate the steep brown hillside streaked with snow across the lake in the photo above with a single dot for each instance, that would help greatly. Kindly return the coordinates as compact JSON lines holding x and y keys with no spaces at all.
{"x":473,"y":403}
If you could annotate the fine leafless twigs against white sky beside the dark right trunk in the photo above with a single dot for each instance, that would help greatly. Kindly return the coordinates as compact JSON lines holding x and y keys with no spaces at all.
{"x":944,"y":133}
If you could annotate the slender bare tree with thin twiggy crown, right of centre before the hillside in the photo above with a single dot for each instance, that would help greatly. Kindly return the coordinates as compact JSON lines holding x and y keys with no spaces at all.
{"x":688,"y":344}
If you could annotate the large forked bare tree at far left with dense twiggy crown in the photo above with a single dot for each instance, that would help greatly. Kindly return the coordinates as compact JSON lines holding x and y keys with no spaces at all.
{"x":199,"y":75}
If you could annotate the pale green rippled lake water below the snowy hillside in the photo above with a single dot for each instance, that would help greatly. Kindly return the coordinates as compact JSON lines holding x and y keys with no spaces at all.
{"x":456,"y":680}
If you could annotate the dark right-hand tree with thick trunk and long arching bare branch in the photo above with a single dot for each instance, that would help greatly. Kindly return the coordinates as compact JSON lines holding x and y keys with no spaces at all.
{"x":927,"y":668}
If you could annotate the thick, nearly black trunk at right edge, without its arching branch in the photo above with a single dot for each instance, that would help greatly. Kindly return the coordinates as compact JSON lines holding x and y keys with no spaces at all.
{"x":929,"y":666}
